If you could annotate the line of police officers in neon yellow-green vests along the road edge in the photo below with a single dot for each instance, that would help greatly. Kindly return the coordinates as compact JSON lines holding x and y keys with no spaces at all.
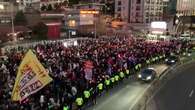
{"x":110,"y":82}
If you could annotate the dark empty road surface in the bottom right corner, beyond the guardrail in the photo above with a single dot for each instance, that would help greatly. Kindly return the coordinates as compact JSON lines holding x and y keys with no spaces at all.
{"x":178,"y":93}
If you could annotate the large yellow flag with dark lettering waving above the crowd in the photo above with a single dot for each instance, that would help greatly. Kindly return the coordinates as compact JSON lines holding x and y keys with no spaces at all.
{"x":31,"y":77}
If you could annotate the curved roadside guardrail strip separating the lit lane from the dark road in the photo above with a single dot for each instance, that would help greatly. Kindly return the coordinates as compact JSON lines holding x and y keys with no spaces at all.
{"x":157,"y":84}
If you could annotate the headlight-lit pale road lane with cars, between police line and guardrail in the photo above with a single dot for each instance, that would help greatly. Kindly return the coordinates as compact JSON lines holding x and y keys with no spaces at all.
{"x":125,"y":95}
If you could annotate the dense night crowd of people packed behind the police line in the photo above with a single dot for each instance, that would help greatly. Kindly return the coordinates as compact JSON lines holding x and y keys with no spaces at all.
{"x":75,"y":69}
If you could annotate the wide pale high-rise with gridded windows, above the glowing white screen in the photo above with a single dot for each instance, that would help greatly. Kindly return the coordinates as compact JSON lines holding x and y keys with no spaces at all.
{"x":140,"y":11}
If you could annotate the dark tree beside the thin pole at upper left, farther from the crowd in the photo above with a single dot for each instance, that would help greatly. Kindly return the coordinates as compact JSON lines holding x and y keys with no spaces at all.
{"x":20,"y":18}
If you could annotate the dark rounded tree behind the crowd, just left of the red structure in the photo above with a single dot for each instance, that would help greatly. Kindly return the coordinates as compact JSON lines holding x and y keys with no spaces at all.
{"x":40,"y":31}
